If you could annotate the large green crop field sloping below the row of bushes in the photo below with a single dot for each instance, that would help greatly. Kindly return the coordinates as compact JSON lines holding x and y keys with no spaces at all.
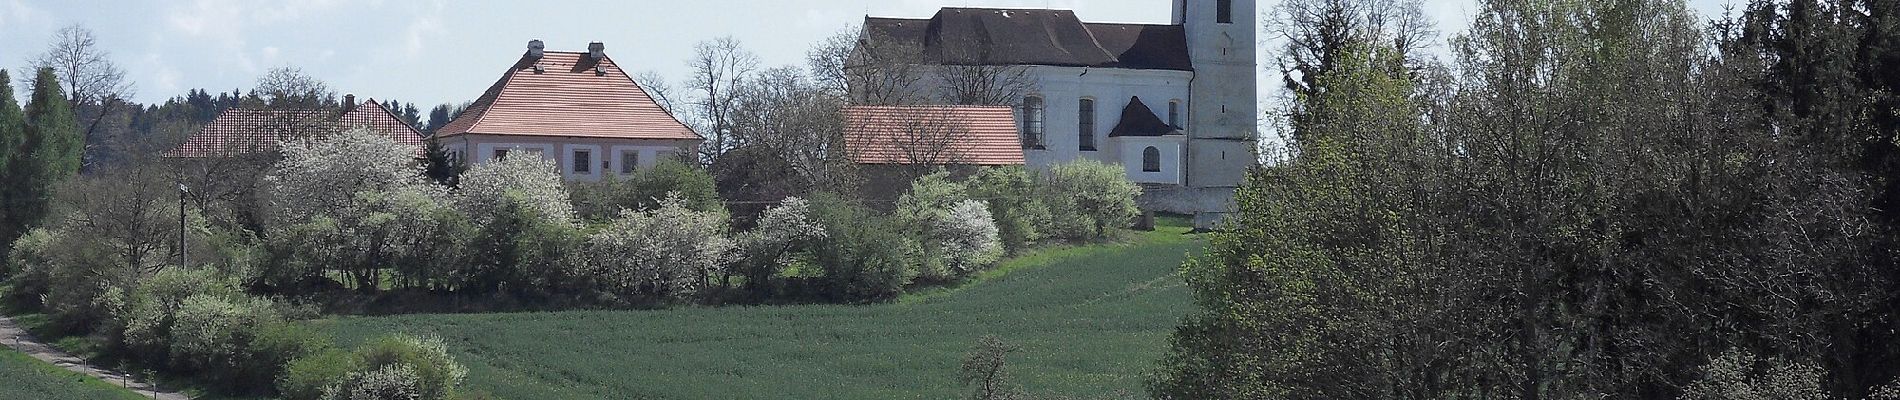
{"x":1090,"y":323}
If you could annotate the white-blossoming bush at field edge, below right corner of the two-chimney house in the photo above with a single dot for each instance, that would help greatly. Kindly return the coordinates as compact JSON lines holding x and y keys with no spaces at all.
{"x":666,"y":253}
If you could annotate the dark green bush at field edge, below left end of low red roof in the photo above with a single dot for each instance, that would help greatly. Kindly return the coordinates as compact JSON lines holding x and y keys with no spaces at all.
{"x":865,"y":255}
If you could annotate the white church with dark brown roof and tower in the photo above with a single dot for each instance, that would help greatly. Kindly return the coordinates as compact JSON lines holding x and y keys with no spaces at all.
{"x":1175,"y":105}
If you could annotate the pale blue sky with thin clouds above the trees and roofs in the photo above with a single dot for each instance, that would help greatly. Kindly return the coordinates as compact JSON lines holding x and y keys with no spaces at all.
{"x":432,"y":52}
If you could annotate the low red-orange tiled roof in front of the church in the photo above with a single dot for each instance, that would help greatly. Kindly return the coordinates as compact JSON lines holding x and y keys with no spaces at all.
{"x":905,"y":136}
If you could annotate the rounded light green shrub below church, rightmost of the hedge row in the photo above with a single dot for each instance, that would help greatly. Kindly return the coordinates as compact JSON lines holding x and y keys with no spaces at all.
{"x":1088,"y":198}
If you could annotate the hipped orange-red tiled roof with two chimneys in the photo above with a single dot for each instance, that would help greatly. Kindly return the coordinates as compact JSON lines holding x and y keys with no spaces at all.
{"x":569,"y":100}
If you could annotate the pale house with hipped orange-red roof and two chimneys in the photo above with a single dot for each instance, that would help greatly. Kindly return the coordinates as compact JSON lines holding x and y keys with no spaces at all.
{"x":573,"y":107}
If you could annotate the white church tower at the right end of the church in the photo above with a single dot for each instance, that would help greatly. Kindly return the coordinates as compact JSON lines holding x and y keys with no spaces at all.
{"x":1223,"y":103}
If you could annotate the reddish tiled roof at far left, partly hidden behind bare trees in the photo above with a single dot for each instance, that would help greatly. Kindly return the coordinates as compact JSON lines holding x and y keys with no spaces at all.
{"x":250,"y":132}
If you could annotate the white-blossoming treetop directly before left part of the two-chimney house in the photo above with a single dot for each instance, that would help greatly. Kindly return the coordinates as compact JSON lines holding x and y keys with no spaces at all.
{"x":485,"y":189}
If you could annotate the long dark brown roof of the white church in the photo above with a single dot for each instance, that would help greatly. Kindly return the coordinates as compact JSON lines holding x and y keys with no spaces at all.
{"x":1029,"y":37}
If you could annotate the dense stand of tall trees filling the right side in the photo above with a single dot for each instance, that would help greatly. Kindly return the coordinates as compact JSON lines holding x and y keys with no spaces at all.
{"x":1586,"y":200}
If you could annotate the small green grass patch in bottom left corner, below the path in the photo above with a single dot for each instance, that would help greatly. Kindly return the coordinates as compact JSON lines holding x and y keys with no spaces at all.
{"x":28,"y":378}
